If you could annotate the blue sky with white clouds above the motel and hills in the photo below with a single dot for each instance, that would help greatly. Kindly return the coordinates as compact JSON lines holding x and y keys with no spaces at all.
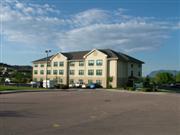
{"x":148,"y":30}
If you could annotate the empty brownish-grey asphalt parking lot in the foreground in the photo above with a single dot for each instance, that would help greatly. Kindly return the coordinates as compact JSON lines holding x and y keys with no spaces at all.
{"x":89,"y":112}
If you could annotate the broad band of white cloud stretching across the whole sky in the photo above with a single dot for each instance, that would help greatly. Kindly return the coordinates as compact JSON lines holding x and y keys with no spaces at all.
{"x":37,"y":25}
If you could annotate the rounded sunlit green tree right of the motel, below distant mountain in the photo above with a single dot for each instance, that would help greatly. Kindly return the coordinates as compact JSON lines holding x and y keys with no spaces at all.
{"x":164,"y":78}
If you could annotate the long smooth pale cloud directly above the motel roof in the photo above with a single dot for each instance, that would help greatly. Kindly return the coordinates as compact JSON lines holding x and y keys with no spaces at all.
{"x":130,"y":36}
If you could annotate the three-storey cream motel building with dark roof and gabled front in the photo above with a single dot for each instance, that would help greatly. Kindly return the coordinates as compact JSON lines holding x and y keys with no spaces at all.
{"x":103,"y":66}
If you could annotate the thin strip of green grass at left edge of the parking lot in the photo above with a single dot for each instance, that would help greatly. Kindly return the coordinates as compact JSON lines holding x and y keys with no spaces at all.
{"x":9,"y":88}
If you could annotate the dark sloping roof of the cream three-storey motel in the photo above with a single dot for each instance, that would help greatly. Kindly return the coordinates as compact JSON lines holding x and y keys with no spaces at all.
{"x":78,"y":55}
